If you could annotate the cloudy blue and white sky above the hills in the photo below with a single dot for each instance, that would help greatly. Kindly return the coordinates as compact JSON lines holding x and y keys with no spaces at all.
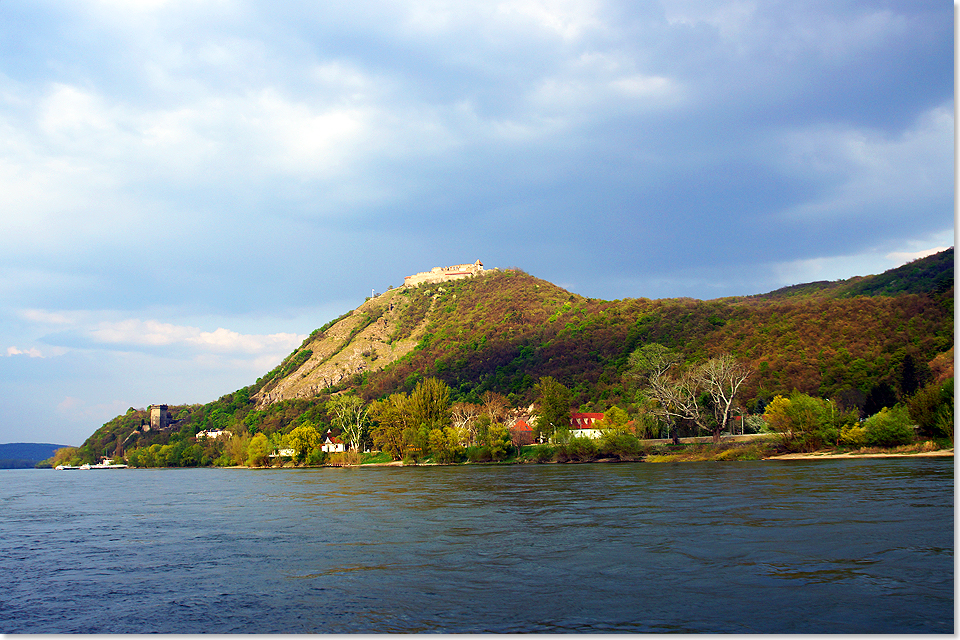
{"x":188,"y":188}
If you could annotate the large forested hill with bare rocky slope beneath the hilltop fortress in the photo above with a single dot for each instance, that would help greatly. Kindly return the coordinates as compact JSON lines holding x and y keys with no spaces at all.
{"x":504,"y":330}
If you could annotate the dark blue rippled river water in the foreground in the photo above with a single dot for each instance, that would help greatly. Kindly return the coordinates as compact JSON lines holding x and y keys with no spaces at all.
{"x":821,"y":546}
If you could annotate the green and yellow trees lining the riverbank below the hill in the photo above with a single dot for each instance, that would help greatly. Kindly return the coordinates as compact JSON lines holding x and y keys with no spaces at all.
{"x":675,"y":399}
